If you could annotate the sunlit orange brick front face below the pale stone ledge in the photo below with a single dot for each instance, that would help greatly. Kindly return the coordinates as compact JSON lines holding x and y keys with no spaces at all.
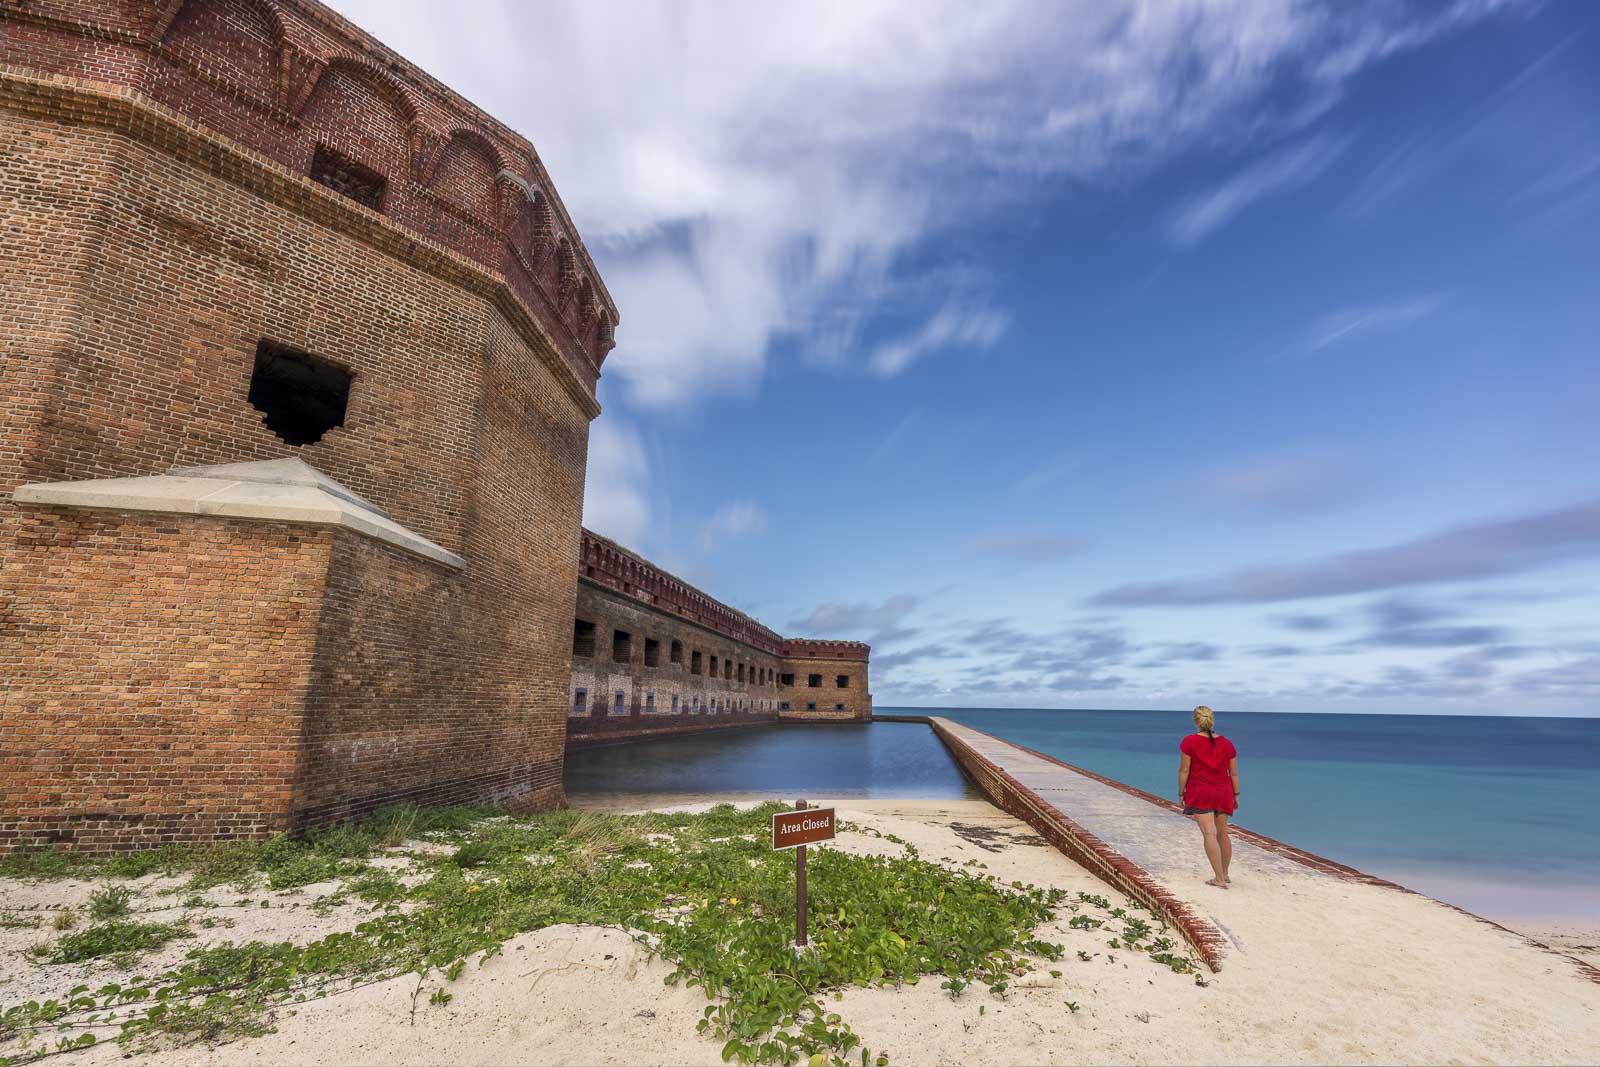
{"x":154,"y":676}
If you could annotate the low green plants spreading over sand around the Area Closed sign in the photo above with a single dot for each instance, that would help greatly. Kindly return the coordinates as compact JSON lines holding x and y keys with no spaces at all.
{"x":703,"y":892}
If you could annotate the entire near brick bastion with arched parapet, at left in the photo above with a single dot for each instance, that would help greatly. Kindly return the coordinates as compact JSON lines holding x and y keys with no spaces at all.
{"x":162,"y":225}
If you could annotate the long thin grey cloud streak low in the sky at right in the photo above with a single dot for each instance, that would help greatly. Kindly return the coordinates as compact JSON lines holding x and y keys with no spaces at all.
{"x":1478,"y":551}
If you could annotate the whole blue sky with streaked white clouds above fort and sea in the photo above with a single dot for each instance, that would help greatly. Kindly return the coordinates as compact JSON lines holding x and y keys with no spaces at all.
{"x":1095,"y":356}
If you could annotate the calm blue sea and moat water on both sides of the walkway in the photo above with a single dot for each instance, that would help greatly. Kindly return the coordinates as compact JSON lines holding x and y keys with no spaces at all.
{"x":1495,"y":815}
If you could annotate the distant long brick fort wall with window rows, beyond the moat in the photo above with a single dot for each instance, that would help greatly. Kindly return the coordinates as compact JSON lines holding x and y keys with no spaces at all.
{"x":654,"y":655}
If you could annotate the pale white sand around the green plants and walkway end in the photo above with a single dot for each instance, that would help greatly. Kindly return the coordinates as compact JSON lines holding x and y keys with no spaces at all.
{"x":1327,"y":973}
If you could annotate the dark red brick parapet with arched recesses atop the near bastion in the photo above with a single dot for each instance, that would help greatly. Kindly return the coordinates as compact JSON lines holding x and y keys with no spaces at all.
{"x":282,"y":78}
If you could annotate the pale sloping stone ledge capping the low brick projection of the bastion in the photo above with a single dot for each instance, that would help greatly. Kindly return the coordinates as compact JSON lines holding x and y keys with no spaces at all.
{"x":274,"y":490}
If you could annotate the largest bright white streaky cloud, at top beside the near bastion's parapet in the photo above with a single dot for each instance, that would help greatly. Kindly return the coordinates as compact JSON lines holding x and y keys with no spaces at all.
{"x":748,"y":172}
